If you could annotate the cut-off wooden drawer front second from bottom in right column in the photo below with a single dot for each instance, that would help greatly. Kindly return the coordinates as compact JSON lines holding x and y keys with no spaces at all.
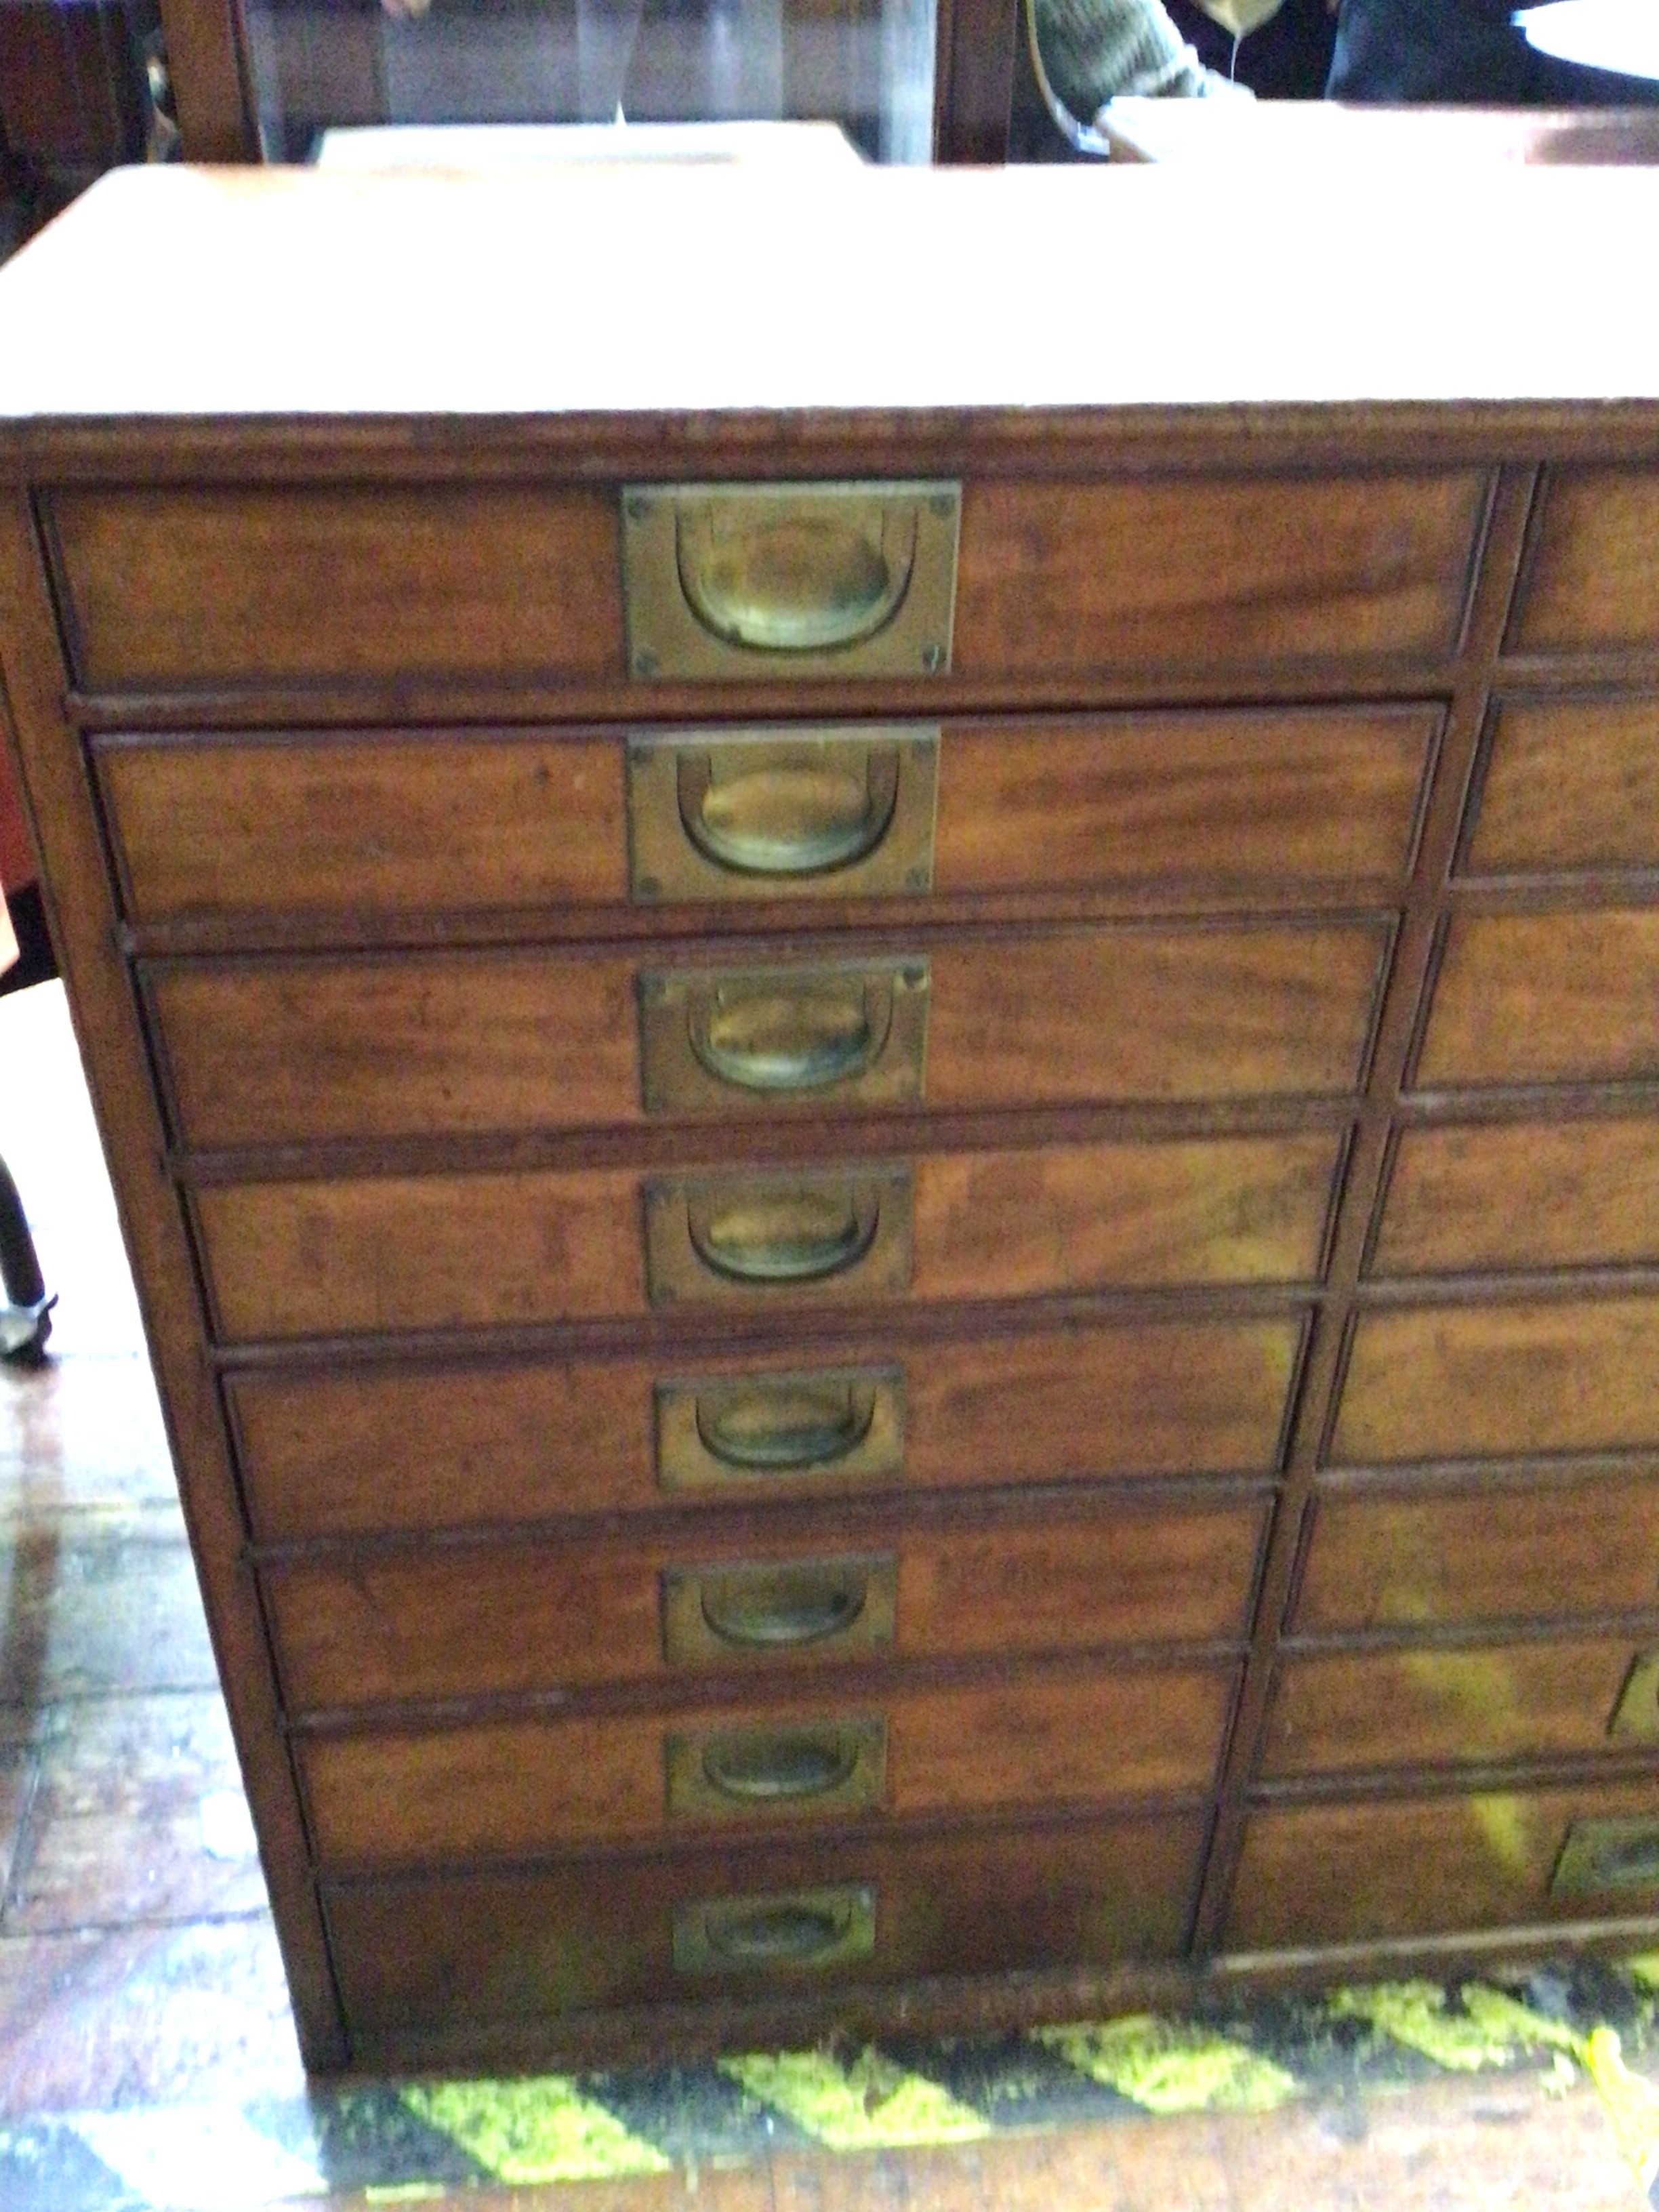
{"x":1342,"y":1713}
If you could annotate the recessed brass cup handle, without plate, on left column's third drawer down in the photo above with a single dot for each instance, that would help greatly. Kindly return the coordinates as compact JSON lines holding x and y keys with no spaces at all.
{"x":791,"y":1036}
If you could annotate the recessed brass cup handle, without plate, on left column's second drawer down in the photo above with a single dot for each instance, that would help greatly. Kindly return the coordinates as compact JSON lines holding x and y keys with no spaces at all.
{"x":789,"y":811}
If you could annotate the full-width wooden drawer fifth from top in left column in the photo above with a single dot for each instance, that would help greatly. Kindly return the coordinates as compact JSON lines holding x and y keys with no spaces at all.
{"x":421,"y":1448}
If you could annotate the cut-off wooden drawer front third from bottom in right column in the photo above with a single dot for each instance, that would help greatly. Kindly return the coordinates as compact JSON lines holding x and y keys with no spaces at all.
{"x":1457,"y":1558}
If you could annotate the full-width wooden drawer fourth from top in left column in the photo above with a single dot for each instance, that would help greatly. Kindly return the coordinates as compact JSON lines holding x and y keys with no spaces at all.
{"x":466,"y":1251}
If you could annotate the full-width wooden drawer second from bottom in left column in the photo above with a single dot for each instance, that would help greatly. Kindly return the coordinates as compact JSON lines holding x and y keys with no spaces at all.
{"x":523,"y":1788}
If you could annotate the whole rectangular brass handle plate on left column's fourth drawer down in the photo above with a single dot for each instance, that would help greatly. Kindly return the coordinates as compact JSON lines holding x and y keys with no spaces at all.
{"x":820,"y":1235}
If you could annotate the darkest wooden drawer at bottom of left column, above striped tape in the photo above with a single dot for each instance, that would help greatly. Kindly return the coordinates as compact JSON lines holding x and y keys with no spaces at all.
{"x":521,"y":1948}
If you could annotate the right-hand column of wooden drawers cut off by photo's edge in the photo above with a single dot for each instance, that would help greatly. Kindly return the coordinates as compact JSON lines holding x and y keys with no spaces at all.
{"x":1481,"y":1569}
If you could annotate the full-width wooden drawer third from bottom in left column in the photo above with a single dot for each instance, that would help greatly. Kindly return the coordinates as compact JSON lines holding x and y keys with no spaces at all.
{"x":472,"y":1620}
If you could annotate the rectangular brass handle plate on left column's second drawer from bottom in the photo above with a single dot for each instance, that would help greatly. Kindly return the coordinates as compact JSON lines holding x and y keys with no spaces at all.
{"x":764,"y":1771}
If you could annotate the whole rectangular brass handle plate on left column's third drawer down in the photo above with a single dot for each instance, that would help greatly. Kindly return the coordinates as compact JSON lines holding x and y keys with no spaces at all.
{"x":789,"y":1039}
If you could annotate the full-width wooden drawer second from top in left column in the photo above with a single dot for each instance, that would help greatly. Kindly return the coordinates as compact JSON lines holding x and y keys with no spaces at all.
{"x":413,"y":824}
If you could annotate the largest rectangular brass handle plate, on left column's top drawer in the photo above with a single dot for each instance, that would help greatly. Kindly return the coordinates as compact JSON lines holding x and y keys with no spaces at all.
{"x":731,"y":583}
